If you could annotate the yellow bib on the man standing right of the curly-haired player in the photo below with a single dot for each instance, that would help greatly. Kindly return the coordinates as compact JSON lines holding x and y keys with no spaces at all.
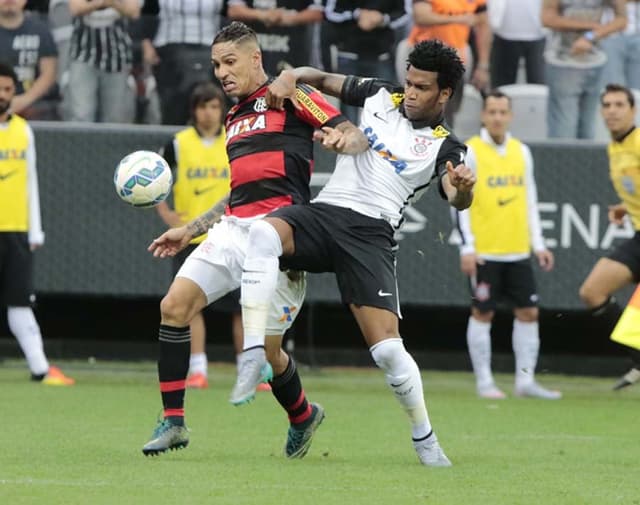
{"x":498,"y":215}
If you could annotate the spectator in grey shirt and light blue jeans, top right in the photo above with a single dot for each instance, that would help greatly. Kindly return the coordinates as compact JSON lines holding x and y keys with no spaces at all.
{"x":575,"y":62}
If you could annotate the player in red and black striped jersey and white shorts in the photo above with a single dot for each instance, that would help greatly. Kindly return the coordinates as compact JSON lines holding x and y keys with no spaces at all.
{"x":270,"y":154}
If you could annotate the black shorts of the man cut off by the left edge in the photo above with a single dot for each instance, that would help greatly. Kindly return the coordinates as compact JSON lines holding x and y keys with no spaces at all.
{"x":16,"y":269}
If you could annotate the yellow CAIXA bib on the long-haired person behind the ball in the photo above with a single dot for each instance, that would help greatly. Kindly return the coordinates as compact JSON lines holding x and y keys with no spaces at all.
{"x":202,"y":175}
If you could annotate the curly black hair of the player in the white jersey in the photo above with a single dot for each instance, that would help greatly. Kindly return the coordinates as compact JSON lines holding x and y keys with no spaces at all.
{"x":435,"y":56}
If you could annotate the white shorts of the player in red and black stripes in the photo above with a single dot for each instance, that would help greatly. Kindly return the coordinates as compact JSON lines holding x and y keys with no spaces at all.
{"x":216,"y":266}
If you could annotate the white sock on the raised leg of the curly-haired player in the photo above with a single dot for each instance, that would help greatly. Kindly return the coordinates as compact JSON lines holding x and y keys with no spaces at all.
{"x":259,"y":281}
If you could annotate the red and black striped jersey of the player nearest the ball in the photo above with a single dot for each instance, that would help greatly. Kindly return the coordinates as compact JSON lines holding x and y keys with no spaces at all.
{"x":271,"y":151}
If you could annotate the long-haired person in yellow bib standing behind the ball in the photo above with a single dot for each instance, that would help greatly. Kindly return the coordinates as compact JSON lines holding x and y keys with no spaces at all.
{"x":200,"y":165}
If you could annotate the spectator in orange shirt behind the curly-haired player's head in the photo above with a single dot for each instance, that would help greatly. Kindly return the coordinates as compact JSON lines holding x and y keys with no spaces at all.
{"x":451,"y":21}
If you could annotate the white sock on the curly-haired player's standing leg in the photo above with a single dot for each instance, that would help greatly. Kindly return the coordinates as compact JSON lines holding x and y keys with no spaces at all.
{"x":403,"y":376}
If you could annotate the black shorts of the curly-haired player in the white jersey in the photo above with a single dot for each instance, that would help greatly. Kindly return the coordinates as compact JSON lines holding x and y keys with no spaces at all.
{"x":359,"y":249}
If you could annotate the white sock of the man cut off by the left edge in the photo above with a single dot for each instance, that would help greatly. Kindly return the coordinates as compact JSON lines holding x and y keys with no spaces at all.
{"x":24,"y":326}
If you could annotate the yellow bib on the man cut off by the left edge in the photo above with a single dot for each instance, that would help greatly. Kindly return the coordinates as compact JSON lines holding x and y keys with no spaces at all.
{"x":14,"y":193}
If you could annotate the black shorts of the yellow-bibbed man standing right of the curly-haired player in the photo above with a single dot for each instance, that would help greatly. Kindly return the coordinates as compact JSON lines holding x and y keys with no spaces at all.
{"x":501,"y":280}
